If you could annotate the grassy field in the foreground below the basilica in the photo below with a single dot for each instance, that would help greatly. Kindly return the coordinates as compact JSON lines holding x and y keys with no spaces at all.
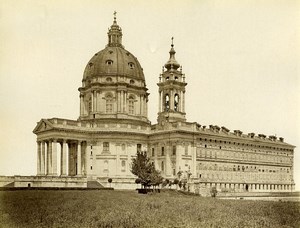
{"x":39,"y":208}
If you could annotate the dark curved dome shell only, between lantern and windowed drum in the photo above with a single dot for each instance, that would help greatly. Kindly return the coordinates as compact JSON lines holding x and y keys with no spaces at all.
{"x":114,"y":61}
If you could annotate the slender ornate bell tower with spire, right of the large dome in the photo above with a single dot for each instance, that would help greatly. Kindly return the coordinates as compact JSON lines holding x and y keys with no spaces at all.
{"x":171,"y":88}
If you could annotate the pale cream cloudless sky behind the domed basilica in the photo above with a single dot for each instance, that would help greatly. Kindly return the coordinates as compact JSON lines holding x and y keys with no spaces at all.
{"x":241,"y":61}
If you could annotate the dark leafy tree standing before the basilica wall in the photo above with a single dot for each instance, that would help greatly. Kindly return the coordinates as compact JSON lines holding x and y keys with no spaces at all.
{"x":144,"y":169}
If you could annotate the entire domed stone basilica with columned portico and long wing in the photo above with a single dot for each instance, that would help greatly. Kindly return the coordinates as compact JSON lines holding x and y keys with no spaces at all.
{"x":113,"y":125}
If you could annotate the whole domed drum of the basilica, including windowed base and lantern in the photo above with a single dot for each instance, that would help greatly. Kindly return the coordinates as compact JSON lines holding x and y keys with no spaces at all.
{"x":113,"y":86}
